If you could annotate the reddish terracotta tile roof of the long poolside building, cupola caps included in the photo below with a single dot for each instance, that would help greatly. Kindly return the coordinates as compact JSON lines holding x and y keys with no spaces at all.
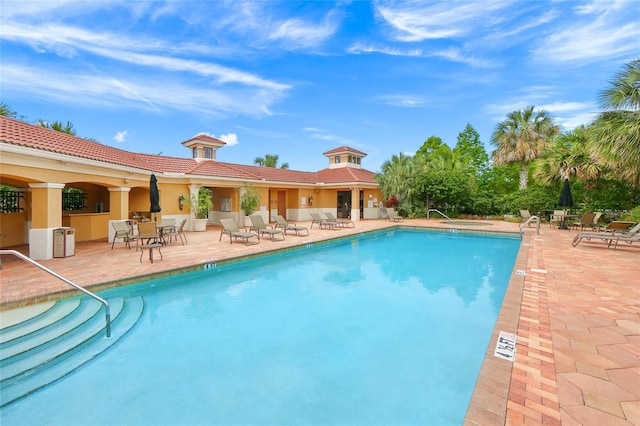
{"x":19,"y":133}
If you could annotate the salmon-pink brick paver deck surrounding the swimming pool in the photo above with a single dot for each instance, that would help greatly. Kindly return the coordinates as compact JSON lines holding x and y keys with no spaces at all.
{"x":575,"y":310}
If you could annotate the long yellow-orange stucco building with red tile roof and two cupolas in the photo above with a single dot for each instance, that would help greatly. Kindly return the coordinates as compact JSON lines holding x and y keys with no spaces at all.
{"x":110,"y":184}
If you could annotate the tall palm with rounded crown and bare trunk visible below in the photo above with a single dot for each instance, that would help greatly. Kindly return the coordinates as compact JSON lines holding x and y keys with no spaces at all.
{"x":522,"y":137}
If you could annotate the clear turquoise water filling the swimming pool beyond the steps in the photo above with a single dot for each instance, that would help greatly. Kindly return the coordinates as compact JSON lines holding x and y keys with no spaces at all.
{"x":386,"y":329}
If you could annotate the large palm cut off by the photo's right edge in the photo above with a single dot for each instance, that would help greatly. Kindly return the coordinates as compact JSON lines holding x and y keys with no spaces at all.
{"x":615,"y":135}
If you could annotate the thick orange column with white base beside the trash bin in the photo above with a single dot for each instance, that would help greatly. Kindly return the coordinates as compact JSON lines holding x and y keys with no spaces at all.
{"x":46,"y":215}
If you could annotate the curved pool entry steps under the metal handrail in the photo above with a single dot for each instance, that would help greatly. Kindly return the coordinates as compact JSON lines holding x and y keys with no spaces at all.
{"x":42,"y":349}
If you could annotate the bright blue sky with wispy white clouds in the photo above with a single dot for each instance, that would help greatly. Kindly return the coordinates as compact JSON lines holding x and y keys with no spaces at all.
{"x":297,"y":79}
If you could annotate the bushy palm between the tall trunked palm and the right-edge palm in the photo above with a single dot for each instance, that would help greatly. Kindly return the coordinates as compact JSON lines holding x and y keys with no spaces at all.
{"x":568,"y":155}
